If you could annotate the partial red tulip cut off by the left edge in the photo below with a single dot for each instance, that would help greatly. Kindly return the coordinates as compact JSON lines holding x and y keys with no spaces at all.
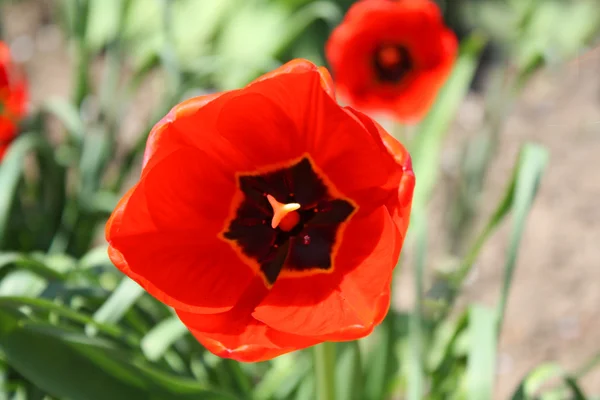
{"x":13,"y":99}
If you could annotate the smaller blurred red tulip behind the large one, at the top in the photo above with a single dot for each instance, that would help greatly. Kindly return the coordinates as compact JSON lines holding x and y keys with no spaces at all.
{"x":392,"y":56}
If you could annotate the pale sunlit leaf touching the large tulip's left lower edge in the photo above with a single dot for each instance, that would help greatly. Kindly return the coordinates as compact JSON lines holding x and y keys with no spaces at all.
{"x":119,"y":302}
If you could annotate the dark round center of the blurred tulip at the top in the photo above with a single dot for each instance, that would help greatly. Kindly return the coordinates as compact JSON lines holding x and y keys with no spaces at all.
{"x":391,"y":63}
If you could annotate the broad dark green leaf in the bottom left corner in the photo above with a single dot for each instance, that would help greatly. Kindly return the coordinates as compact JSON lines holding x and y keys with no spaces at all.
{"x":69,"y":365}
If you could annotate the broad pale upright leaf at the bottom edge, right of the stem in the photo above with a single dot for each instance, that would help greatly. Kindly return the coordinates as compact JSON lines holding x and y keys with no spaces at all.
{"x":481,"y":362}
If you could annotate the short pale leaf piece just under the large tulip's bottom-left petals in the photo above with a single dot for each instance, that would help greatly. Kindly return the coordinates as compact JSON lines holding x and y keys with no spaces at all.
{"x":158,"y":340}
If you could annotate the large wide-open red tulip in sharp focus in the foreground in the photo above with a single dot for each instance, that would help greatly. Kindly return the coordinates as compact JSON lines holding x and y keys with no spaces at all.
{"x":269,"y":217}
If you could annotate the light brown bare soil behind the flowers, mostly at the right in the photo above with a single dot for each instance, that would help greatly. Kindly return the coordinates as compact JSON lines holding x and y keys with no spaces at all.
{"x":554,"y":306}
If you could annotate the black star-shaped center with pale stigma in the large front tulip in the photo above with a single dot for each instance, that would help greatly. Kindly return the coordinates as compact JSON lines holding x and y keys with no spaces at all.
{"x":303,"y":241}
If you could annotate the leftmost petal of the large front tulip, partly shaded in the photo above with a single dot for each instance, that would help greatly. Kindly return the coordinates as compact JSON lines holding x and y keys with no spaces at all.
{"x":164,"y":234}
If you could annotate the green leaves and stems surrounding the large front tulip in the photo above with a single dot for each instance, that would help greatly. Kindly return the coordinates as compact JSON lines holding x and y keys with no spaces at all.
{"x":71,"y":327}
